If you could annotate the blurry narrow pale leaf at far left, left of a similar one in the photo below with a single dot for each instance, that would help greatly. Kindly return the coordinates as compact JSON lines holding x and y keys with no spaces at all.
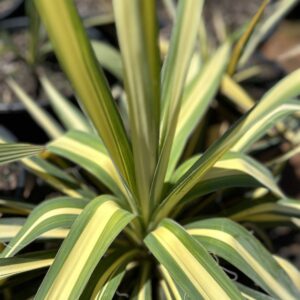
{"x":49,"y":125}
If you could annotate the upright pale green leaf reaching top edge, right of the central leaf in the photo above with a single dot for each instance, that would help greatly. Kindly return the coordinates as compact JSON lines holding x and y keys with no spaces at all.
{"x":174,"y":73}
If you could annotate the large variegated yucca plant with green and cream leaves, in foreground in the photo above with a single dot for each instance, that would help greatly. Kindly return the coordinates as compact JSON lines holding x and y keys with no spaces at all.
{"x":150,"y":236}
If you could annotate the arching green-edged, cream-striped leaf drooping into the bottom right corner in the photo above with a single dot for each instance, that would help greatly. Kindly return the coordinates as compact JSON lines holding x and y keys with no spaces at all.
{"x":233,"y":243}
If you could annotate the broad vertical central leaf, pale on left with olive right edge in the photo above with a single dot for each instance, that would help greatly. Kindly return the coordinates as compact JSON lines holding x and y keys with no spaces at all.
{"x":138,"y":41}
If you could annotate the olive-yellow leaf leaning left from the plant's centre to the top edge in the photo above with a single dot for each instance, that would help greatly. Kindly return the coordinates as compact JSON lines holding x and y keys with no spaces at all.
{"x":88,"y":79}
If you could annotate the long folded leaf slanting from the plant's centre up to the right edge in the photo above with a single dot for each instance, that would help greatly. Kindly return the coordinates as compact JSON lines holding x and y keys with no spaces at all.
{"x":287,"y":88}
